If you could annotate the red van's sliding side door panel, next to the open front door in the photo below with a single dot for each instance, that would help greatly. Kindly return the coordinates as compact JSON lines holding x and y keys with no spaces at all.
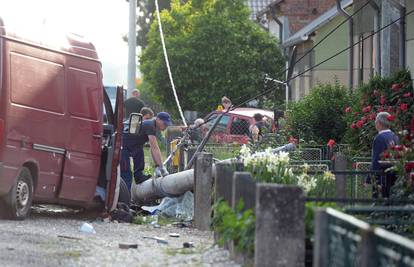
{"x":84,"y":101}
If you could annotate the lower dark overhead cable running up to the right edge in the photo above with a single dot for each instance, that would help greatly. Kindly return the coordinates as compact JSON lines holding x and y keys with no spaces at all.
{"x":322,"y":62}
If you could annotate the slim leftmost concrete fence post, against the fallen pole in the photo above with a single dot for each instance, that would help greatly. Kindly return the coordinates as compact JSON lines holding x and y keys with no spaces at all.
{"x":203,"y":182}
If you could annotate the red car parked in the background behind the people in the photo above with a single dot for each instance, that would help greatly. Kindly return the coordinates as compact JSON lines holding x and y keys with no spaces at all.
{"x":234,"y":126}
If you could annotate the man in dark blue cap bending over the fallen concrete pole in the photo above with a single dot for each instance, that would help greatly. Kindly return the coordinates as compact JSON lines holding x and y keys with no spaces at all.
{"x":133,"y":146}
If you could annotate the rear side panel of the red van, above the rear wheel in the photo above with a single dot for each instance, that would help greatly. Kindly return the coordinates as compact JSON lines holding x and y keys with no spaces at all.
{"x":33,"y":95}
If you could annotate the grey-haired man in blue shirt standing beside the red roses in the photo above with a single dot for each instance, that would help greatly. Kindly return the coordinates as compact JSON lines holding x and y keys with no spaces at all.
{"x":384,"y":140}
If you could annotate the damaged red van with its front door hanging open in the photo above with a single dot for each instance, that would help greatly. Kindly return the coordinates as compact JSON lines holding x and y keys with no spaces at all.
{"x":54,"y":146}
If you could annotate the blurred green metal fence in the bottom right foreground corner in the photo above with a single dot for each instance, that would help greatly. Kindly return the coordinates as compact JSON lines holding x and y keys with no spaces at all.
{"x":343,"y":240}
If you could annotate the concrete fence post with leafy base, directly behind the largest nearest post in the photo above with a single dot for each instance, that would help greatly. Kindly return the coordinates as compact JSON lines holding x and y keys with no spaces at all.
{"x":244,"y":187}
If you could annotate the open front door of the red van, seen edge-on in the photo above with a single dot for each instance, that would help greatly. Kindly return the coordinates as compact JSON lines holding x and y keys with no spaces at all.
{"x":118,"y":124}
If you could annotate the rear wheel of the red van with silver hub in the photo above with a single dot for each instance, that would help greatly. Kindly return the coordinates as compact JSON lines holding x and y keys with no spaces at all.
{"x":19,"y":200}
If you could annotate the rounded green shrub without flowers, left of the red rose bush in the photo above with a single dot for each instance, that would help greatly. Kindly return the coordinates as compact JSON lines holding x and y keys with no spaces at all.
{"x":319,"y":116}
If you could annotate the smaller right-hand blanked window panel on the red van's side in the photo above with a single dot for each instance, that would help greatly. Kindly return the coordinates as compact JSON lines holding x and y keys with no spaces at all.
{"x":84,"y":94}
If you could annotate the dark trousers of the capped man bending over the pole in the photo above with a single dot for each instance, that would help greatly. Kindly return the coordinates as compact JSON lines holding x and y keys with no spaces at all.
{"x":137,"y":156}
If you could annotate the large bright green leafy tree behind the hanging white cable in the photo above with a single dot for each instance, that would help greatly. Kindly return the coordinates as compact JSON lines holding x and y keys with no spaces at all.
{"x":214,"y":50}
